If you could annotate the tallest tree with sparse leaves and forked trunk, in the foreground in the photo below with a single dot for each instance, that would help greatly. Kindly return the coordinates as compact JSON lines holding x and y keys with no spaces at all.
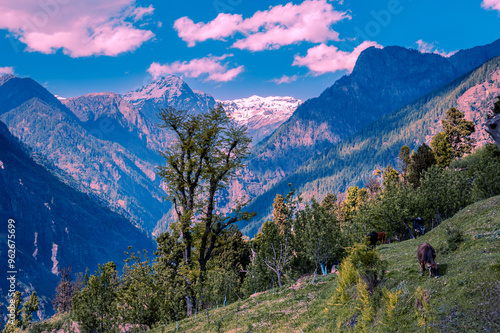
{"x":207,"y":152}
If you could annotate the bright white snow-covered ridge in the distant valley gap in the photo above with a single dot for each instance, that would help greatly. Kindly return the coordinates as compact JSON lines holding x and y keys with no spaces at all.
{"x":262,"y":115}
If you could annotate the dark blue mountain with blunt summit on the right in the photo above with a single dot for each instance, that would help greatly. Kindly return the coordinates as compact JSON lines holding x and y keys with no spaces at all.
{"x":382,"y":81}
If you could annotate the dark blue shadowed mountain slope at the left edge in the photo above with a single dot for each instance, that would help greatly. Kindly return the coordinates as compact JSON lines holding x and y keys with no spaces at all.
{"x":56,"y":226}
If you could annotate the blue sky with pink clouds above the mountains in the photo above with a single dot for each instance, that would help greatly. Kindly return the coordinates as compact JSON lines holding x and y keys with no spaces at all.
{"x":227,"y":48}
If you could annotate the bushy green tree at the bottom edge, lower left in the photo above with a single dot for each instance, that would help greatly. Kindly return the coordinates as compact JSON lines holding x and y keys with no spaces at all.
{"x":94,"y":306}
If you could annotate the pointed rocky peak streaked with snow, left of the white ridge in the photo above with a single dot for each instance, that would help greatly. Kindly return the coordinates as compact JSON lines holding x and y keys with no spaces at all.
{"x":168,"y":91}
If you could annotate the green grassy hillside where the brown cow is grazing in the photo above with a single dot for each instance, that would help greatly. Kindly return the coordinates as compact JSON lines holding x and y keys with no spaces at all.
{"x":466,"y":298}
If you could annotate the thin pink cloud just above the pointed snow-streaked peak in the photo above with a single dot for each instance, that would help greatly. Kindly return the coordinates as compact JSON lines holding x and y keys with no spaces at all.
{"x":210,"y":67}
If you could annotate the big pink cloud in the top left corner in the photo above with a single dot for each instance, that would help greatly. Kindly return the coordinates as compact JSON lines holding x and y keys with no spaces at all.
{"x":79,"y":27}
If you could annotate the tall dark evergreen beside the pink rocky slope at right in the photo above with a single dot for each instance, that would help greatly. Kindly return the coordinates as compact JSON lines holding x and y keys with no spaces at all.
{"x":458,"y":131}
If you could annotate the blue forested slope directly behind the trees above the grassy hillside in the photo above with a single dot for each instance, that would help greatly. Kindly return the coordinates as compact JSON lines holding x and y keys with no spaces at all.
{"x":378,"y":144}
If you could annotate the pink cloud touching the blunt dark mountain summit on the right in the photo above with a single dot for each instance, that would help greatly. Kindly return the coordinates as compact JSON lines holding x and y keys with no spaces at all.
{"x":324,"y":59}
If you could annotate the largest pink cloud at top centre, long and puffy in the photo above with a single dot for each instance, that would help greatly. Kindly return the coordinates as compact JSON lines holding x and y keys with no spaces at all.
{"x":280,"y":25}
